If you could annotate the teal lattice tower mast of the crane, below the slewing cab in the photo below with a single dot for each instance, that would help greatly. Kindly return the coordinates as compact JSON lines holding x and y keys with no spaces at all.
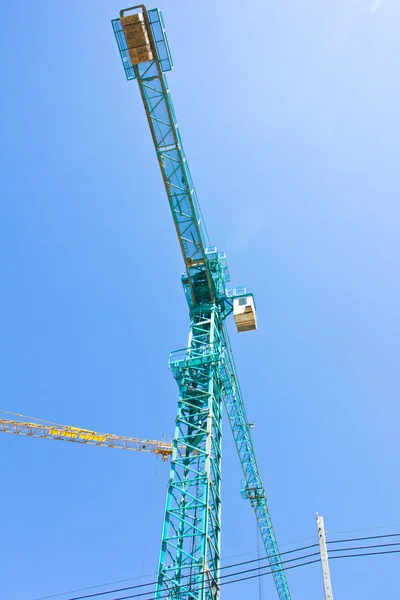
{"x":190,"y":549}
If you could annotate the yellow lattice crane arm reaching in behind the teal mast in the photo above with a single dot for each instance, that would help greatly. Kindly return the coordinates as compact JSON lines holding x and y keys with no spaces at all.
{"x":66,"y":433}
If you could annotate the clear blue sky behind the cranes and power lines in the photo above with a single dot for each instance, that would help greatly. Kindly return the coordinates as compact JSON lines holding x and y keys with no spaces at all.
{"x":289,"y":112}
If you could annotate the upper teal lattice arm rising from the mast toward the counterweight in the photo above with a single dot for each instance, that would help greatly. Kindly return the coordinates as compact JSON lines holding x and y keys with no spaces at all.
{"x":184,"y":204}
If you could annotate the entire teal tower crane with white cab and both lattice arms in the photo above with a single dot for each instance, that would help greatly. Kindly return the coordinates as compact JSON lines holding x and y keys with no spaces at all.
{"x":205,"y":371}
